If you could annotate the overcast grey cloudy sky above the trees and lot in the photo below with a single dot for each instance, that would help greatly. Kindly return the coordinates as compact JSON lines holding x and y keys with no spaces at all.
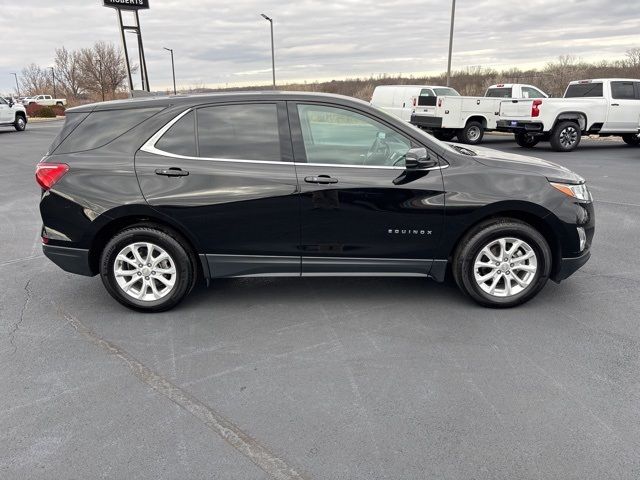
{"x":218,"y":43}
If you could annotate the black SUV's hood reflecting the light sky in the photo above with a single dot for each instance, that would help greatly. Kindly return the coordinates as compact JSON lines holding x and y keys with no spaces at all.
{"x":512,"y":161}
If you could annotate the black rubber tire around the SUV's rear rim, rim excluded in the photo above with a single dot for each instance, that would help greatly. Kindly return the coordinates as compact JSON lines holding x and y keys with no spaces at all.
{"x":174,"y":245}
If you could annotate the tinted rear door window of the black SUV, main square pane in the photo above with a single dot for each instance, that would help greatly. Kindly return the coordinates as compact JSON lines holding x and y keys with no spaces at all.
{"x":247,"y":132}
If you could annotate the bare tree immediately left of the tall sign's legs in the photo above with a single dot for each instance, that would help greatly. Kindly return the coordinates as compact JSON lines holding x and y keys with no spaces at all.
{"x":103,"y":70}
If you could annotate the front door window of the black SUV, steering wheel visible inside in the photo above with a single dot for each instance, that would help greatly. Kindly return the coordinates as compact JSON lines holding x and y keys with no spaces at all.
{"x":338,"y":136}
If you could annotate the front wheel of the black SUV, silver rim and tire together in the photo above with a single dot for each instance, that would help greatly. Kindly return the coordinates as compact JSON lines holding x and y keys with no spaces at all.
{"x":502,"y":263}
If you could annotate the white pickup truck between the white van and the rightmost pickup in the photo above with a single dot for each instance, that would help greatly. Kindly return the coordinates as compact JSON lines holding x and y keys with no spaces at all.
{"x":468,"y":117}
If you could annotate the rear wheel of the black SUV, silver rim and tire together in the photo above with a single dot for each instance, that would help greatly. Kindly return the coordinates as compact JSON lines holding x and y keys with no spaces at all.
{"x":147,"y":269}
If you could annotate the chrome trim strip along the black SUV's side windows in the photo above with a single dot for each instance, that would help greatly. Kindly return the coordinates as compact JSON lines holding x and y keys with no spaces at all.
{"x":150,"y":147}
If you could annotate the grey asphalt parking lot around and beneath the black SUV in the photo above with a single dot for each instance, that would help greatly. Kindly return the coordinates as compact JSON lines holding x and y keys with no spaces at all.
{"x":322,"y":378}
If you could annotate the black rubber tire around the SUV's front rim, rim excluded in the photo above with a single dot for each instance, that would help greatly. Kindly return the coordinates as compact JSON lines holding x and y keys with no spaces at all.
{"x":483,"y":234}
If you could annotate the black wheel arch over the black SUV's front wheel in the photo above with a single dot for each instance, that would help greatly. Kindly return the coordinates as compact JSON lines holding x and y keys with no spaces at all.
{"x":533,"y":215}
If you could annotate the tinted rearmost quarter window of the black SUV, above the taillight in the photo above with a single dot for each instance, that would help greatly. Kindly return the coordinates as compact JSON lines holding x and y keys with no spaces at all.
{"x":102,"y":127}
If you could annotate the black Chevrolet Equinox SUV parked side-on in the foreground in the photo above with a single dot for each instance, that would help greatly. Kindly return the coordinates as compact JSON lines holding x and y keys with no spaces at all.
{"x":153,"y":194}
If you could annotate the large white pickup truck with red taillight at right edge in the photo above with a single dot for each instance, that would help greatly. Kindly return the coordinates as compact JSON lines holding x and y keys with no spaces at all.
{"x":605,"y":107}
